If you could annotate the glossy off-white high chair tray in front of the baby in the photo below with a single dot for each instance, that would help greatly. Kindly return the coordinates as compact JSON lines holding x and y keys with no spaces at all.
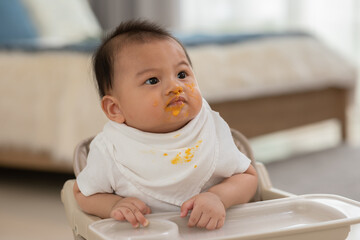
{"x":299,"y":217}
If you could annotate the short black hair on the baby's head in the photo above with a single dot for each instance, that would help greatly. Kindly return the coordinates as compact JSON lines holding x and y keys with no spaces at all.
{"x":126,"y":32}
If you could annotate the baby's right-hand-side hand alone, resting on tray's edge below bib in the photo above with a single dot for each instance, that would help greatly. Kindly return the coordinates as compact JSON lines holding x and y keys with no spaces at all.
{"x":208,"y":211}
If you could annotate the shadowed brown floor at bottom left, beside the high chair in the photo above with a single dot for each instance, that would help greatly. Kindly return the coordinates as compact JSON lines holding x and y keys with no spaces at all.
{"x":30,"y":206}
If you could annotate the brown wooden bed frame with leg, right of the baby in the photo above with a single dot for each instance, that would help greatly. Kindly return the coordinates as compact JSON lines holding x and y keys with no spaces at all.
{"x":259,"y":116}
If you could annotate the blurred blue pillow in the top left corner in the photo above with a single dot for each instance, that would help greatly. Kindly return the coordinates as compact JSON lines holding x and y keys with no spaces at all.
{"x":15,"y":23}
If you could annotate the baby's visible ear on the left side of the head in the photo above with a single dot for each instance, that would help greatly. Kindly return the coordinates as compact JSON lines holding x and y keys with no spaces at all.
{"x":111,"y":108}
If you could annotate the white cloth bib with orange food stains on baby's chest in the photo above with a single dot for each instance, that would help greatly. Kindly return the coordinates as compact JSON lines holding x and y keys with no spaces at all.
{"x":163,"y":165}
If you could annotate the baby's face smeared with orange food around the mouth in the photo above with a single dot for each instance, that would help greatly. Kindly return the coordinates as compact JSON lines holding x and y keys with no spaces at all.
{"x":155,"y":86}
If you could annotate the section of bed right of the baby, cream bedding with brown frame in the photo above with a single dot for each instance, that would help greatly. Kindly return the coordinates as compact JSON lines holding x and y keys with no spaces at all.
{"x":272,"y":82}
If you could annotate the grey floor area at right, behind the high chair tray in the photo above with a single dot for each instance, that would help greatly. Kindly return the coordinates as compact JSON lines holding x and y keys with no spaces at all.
{"x":330,"y":171}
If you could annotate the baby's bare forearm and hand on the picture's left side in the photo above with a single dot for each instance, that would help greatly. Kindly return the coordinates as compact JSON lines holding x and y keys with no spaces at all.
{"x":107,"y":205}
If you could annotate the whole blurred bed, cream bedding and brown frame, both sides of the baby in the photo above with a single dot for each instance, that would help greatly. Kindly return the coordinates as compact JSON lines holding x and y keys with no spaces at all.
{"x":260,"y":83}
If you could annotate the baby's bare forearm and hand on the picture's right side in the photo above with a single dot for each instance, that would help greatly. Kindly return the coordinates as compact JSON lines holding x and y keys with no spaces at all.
{"x":209,"y":208}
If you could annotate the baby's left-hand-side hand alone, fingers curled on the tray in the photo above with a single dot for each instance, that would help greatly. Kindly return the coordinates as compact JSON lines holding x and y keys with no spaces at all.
{"x":132,"y":210}
